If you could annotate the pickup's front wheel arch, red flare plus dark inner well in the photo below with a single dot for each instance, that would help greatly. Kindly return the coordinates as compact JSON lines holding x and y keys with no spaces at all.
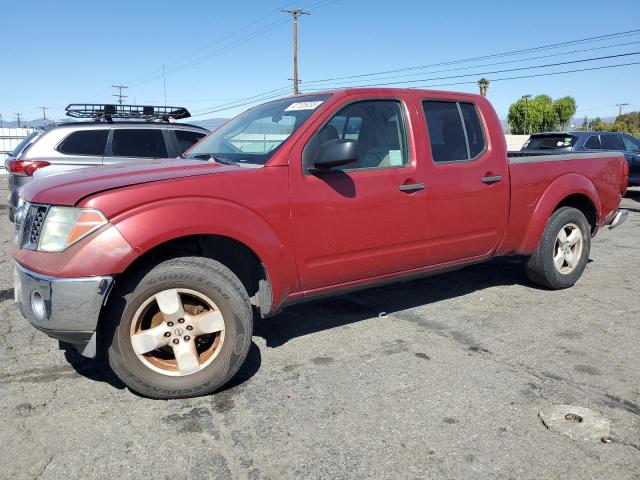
{"x":232,"y":234}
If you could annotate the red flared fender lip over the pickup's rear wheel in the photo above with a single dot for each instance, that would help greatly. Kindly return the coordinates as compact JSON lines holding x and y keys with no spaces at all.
{"x":558,"y":190}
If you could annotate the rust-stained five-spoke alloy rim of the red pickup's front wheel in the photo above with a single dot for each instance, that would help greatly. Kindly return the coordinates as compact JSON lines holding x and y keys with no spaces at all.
{"x":177,"y":332}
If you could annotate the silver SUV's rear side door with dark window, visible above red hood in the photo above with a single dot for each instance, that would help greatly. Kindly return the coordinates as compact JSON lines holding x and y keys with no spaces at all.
{"x":130,"y":144}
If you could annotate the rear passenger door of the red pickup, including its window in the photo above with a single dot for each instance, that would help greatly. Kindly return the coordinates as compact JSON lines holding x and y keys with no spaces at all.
{"x":467,"y":182}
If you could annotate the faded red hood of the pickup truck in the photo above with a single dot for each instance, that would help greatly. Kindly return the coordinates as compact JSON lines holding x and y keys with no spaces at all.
{"x":69,"y":188}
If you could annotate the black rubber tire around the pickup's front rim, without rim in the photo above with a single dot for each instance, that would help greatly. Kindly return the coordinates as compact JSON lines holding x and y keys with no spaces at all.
{"x":203,"y":275}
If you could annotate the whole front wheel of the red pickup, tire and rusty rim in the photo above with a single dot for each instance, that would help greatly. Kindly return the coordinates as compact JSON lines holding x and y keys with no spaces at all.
{"x":182,"y":330}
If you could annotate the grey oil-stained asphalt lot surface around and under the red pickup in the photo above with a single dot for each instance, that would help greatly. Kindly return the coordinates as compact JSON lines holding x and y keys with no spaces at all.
{"x":437,"y":378}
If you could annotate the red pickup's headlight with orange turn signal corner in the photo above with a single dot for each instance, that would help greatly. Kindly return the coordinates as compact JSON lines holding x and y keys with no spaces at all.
{"x":64,"y":226}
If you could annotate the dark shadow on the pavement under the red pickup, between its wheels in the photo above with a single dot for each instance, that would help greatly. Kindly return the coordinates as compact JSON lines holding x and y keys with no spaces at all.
{"x":306,"y":319}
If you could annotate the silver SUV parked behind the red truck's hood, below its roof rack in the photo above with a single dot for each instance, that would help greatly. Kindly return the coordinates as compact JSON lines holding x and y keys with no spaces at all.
{"x":75,"y":145}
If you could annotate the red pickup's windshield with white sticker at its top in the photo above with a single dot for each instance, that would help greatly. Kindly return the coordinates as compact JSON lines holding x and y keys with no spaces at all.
{"x":255,"y":135}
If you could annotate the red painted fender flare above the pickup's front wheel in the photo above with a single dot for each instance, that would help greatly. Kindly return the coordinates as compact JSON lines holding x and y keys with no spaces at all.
{"x":150,"y":225}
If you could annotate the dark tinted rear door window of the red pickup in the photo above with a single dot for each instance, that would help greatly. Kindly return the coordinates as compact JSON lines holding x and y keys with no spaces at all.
{"x":455,"y":130}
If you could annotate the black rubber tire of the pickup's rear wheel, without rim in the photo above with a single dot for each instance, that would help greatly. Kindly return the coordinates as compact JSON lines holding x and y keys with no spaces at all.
{"x":541,"y":269}
